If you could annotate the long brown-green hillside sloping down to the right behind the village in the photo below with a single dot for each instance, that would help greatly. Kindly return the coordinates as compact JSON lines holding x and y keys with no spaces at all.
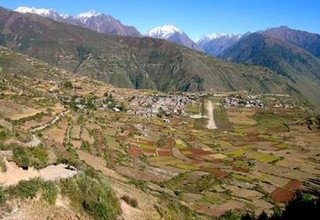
{"x":131,"y":62}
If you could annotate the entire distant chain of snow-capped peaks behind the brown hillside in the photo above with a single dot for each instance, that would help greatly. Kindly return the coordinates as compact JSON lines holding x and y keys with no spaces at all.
{"x":107,"y":24}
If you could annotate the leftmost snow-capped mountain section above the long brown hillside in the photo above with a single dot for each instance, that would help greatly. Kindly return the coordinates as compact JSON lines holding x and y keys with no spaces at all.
{"x":92,"y":20}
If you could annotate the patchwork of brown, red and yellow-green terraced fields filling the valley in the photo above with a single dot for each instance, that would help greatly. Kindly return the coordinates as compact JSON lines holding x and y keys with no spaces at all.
{"x":252,"y":159}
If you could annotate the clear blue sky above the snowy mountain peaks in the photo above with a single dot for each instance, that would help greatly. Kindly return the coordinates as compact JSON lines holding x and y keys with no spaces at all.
{"x":195,"y":17}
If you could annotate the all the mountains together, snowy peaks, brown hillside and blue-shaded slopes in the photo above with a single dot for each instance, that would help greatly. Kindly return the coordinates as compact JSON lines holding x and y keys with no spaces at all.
{"x":112,"y":52}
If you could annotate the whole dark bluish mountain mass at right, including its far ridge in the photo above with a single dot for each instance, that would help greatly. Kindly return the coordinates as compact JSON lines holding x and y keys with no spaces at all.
{"x":291,"y":53}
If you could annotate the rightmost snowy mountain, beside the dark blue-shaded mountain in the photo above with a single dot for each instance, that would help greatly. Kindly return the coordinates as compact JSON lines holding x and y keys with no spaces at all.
{"x":215,"y":44}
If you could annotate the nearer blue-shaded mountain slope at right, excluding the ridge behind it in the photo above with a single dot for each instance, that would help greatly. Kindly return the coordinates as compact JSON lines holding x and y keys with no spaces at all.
{"x":296,"y":64}
